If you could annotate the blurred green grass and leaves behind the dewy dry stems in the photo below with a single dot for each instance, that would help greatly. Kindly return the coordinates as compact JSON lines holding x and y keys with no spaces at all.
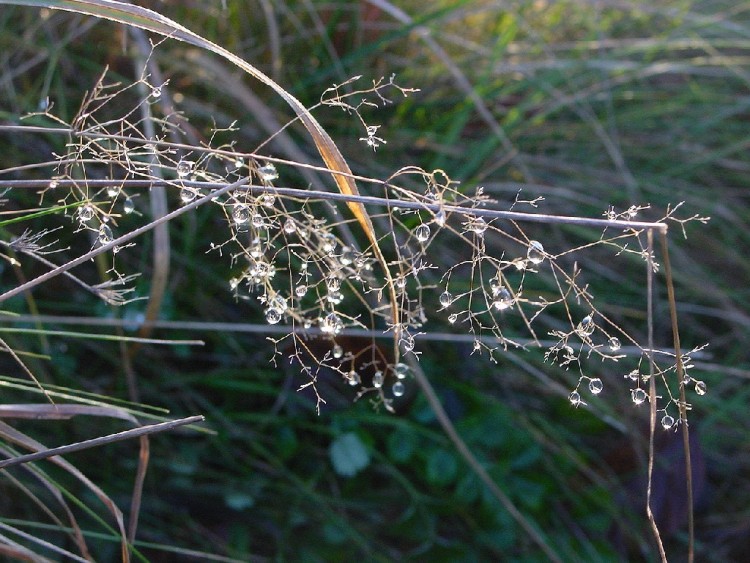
{"x":586,"y":104}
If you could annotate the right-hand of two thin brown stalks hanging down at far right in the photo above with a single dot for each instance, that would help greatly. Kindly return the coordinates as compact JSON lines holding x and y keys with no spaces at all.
{"x":683,"y":401}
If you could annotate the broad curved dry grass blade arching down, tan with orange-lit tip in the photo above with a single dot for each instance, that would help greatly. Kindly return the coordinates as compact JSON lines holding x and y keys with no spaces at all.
{"x":152,"y":21}
